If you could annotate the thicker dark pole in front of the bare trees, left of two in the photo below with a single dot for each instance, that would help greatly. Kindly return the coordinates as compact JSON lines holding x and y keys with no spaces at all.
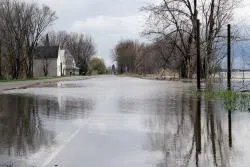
{"x":198,"y":55}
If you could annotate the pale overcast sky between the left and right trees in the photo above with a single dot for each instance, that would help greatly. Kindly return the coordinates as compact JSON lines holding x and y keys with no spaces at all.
{"x":107,"y":21}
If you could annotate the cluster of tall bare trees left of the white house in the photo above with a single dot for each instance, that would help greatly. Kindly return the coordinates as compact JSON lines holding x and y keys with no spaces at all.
{"x":21,"y":27}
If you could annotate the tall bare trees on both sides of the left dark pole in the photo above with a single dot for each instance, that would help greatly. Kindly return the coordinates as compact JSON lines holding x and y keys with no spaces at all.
{"x":175,"y":20}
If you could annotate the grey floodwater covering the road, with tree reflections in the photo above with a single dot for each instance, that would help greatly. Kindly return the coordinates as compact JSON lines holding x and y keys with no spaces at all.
{"x":119,"y":122}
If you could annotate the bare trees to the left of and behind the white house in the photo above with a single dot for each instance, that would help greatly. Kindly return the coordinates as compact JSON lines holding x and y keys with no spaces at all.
{"x":23,"y":27}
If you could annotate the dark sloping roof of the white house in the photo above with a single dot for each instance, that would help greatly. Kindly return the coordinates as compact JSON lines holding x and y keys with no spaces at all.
{"x":47,"y":52}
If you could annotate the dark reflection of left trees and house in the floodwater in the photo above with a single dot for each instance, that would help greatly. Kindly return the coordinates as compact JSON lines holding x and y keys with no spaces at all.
{"x":24,"y":123}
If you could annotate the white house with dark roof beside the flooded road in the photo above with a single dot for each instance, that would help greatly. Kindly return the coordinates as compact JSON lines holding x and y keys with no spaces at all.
{"x":53,"y":61}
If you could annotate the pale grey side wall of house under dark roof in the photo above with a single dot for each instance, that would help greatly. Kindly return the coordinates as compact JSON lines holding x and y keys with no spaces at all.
{"x":38,"y":66}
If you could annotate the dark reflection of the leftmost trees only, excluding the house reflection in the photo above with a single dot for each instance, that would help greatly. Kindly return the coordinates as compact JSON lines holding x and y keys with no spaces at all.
{"x":21,"y":129}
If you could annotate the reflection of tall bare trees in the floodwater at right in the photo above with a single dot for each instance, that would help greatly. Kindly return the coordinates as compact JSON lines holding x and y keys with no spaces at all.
{"x":190,"y":132}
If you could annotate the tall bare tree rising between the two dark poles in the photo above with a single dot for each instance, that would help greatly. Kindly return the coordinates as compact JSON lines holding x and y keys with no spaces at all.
{"x":215,"y":14}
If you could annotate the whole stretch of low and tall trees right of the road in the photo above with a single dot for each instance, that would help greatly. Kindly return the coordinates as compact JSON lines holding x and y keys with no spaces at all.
{"x":172,"y":26}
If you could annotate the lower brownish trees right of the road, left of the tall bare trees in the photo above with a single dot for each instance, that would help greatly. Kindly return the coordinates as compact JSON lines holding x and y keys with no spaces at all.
{"x":135,"y":57}
